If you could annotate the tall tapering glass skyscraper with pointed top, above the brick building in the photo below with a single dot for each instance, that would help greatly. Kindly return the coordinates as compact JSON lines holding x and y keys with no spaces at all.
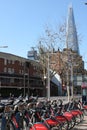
{"x":71,"y":33}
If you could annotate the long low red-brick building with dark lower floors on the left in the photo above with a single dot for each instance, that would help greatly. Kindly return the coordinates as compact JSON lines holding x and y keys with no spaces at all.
{"x":19,"y":75}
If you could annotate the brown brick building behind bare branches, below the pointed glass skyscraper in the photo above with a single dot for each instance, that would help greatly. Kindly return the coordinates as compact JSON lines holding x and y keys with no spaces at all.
{"x":69,"y":61}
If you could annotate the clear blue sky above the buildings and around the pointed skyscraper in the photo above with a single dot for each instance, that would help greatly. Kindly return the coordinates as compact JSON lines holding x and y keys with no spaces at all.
{"x":22,"y":22}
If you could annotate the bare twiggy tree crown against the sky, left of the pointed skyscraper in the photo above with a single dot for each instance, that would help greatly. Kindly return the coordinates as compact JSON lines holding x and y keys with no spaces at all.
{"x":49,"y":43}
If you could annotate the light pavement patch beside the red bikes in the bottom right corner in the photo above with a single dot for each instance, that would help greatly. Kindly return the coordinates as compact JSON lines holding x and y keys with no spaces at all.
{"x":82,"y":125}
